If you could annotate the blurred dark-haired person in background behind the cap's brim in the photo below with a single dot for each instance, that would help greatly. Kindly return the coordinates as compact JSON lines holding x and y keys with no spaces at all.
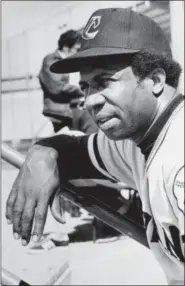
{"x":57,"y":89}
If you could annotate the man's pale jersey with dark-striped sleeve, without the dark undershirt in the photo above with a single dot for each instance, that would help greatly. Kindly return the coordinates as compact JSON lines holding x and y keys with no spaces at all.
{"x":160,"y":183}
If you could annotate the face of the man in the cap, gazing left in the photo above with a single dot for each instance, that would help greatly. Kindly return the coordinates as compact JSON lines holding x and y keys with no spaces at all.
{"x":121,"y":106}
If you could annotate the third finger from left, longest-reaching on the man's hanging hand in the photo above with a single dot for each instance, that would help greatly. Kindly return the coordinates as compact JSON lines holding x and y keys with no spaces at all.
{"x":27,"y":220}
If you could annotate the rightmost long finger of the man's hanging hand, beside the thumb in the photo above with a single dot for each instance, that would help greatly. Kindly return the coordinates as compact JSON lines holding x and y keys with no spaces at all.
{"x":40,"y":219}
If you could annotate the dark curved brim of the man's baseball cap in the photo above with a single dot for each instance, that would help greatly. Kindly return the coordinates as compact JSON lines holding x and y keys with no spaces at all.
{"x":91,"y":57}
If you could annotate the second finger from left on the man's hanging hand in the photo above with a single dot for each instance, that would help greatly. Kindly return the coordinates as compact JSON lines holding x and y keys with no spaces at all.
{"x":17,"y":214}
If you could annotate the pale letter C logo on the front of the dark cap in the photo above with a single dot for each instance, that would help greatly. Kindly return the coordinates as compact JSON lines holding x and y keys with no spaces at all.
{"x":90,"y":30}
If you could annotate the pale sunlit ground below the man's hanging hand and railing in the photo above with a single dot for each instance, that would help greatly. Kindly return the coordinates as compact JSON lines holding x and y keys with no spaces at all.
{"x":119,"y":262}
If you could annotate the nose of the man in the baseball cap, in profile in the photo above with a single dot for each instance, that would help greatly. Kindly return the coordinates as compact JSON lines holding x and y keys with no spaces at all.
{"x":94,"y":100}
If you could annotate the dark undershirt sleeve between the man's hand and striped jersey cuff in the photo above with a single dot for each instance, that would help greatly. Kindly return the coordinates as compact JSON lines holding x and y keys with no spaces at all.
{"x":73,"y":158}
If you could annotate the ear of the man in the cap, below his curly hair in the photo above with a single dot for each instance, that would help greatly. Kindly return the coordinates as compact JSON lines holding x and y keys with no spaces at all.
{"x":158,"y":77}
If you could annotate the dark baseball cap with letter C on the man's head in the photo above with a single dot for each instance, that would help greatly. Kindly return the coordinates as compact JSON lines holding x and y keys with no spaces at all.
{"x":115,"y":31}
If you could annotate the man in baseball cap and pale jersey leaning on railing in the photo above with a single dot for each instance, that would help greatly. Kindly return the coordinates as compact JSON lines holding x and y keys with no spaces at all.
{"x":131,"y":85}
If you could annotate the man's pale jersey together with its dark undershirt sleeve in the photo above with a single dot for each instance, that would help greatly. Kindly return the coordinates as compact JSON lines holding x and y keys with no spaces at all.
{"x":158,"y":177}
